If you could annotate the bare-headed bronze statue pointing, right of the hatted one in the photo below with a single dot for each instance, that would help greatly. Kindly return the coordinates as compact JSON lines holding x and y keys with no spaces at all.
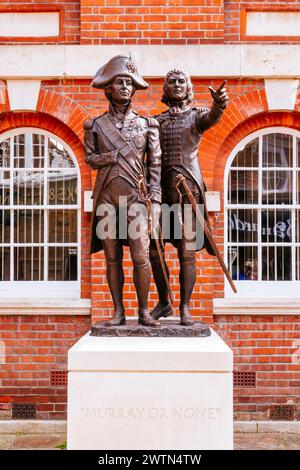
{"x":181,"y":128}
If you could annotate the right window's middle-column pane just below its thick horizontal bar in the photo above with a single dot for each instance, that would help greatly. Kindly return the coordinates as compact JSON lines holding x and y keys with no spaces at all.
{"x":276,"y":226}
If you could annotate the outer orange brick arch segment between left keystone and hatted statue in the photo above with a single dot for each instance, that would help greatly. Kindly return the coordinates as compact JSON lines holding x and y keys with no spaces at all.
{"x":64,"y":109}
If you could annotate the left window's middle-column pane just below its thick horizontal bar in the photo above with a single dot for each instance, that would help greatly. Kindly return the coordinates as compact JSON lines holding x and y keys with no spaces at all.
{"x":29,"y":226}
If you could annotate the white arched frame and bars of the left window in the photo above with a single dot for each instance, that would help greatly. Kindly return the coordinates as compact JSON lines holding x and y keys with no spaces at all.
{"x":45,"y":288}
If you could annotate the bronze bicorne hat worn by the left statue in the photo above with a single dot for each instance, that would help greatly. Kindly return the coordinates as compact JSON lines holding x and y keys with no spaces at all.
{"x":118,"y":65}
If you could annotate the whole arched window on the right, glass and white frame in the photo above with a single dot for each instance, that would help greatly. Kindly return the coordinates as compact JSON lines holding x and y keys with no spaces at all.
{"x":262,"y":213}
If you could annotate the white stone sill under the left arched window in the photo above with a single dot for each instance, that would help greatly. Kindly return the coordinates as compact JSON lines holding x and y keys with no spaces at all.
{"x":45,"y":306}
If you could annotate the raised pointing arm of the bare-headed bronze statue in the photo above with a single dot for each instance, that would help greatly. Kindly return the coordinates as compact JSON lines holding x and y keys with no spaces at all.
{"x":207,"y":118}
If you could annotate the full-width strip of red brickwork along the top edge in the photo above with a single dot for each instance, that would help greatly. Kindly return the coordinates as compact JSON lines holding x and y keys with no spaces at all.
{"x":150,"y":21}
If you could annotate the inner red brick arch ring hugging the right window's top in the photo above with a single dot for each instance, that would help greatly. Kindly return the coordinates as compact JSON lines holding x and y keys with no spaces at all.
{"x":255,"y":123}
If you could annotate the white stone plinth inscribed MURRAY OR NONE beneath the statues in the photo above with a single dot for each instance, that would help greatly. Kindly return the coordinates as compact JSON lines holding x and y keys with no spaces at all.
{"x":150,"y":393}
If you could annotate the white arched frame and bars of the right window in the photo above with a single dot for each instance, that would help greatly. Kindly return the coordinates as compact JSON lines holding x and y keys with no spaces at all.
{"x":260,"y":289}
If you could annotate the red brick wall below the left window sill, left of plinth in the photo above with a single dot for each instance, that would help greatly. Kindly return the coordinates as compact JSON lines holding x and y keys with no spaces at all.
{"x":34,"y":346}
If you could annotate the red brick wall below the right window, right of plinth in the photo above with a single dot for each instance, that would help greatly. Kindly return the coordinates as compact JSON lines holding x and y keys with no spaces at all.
{"x":268,"y":346}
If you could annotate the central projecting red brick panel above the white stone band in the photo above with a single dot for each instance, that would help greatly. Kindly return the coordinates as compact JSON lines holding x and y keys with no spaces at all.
{"x":151,"y":22}
